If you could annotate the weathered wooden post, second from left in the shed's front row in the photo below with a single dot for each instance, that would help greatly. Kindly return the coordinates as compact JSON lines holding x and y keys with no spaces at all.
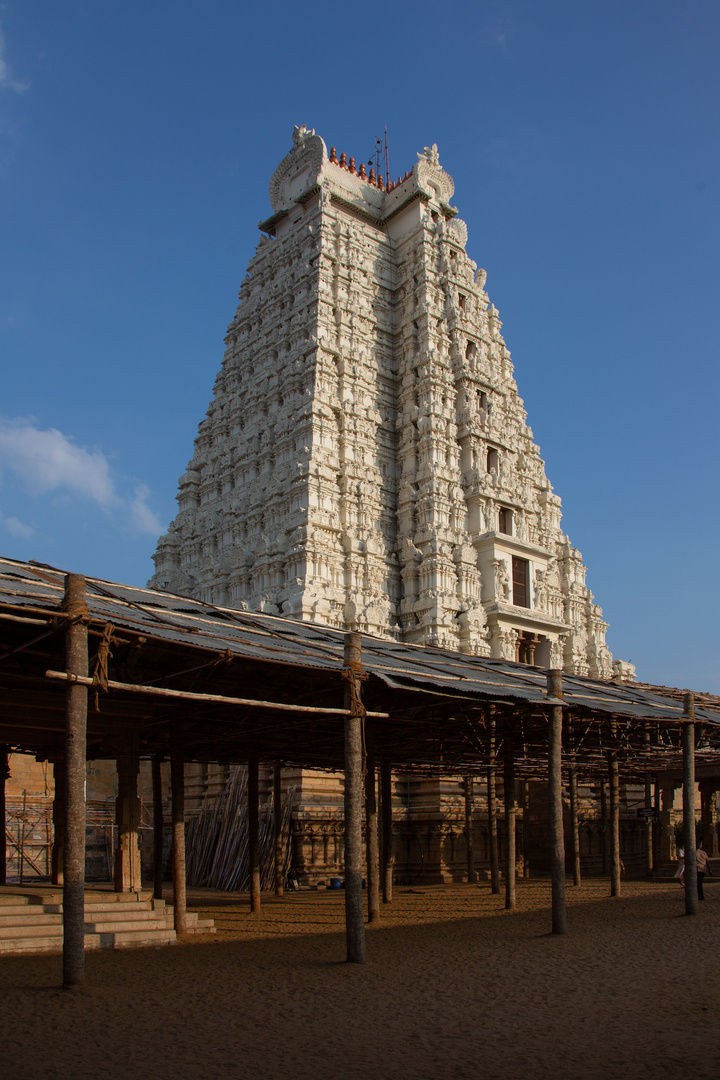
{"x":354,"y":802}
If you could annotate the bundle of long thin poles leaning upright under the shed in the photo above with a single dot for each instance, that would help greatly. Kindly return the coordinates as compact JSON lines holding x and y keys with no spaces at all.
{"x":219,"y":840}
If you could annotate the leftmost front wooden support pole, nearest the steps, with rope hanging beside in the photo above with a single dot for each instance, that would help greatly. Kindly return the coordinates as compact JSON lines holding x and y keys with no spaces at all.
{"x":76,"y":736}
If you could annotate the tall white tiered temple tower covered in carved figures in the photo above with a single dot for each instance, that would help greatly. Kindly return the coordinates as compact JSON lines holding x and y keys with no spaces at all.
{"x":366,"y":462}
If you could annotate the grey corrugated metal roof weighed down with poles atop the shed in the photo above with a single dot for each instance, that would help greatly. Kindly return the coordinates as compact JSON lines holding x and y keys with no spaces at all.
{"x":270,"y":639}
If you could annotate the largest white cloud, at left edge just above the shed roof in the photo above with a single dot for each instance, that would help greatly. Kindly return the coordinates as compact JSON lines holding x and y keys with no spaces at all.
{"x":50,"y":462}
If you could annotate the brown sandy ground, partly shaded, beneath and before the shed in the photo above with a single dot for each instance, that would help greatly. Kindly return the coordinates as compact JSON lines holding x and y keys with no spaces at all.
{"x":454,"y":988}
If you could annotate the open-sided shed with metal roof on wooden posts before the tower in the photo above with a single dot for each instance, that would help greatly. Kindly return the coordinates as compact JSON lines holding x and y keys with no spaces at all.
{"x":96,"y":669}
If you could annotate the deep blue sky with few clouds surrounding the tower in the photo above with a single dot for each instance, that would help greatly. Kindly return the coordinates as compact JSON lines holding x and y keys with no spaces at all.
{"x":137,"y":144}
